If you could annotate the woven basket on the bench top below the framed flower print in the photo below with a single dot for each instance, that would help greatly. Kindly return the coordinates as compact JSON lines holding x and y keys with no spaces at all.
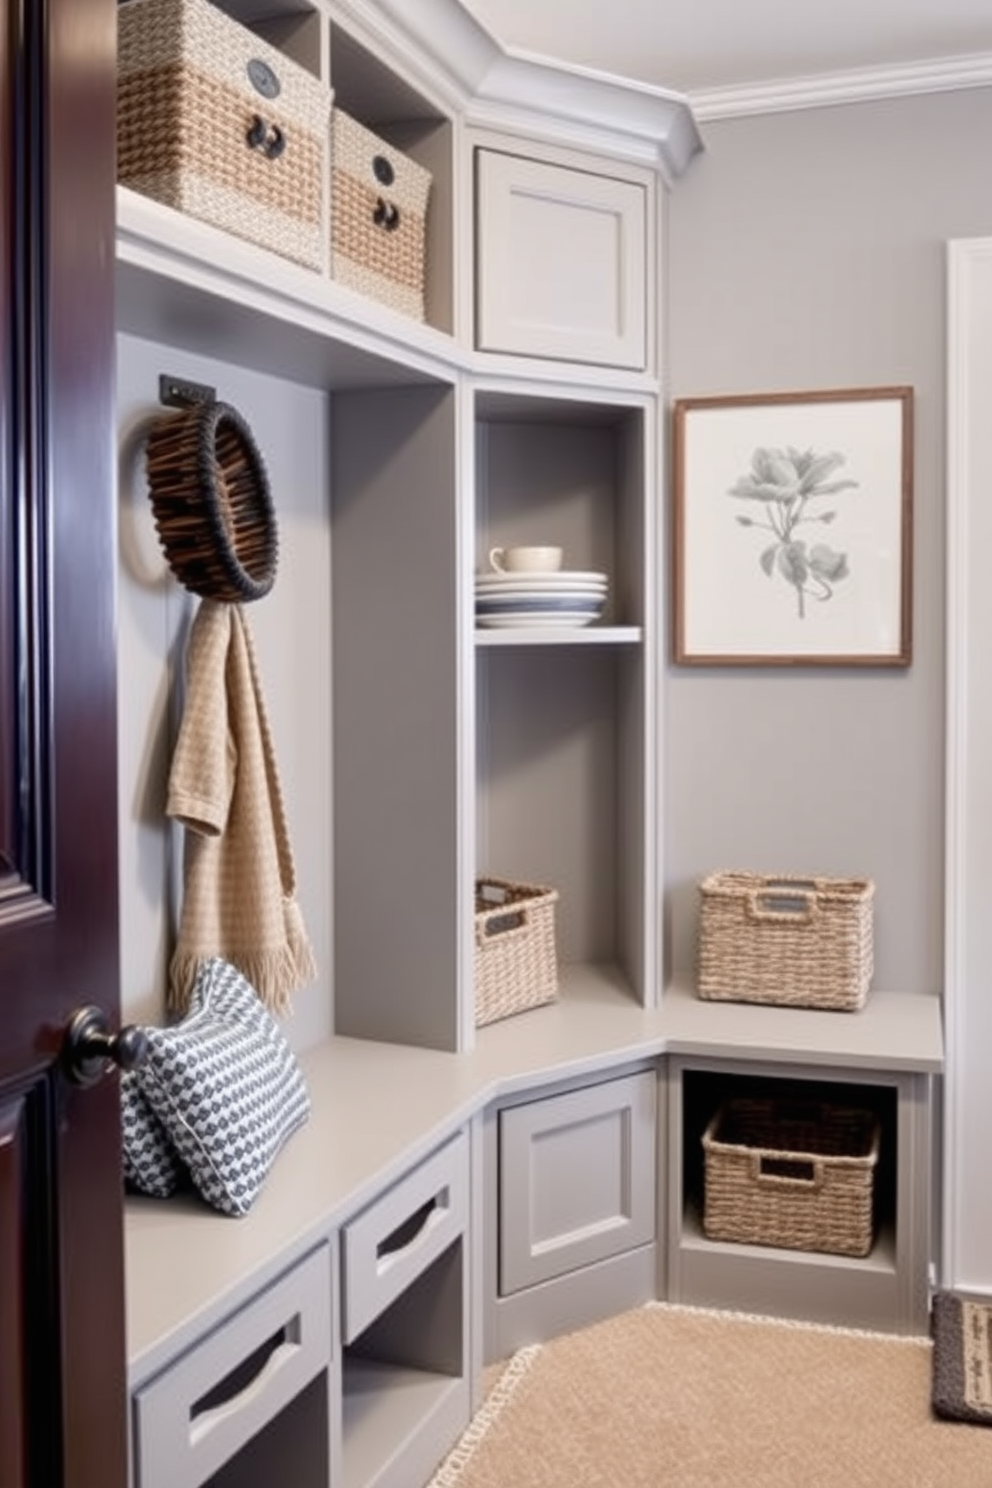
{"x":799,"y":943}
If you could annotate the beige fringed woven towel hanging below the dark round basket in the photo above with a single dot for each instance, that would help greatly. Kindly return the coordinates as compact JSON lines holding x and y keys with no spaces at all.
{"x":240,"y":880}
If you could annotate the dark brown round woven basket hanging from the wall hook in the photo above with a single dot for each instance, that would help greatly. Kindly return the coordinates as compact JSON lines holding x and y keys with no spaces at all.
{"x":212,"y":502}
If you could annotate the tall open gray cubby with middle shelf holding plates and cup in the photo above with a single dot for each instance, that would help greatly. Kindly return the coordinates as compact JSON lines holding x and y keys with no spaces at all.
{"x":564,"y":718}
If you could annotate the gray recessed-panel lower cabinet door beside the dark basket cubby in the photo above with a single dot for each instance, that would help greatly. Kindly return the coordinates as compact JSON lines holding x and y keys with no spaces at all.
{"x":576,"y":1179}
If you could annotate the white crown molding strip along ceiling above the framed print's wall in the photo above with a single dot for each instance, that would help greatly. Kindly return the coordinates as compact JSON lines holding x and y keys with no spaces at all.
{"x":857,"y":86}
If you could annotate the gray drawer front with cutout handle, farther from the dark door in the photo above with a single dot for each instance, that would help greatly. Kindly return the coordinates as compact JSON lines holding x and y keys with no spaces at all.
{"x":396,"y":1239}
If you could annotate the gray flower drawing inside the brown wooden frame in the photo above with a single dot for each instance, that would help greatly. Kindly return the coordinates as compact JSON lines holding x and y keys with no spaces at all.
{"x":786,"y":484}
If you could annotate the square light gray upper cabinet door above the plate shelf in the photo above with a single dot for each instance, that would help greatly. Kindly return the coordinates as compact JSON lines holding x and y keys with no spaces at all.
{"x":561,"y":263}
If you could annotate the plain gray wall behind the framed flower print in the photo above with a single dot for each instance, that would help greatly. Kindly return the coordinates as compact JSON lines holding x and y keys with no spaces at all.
{"x":807,"y":251}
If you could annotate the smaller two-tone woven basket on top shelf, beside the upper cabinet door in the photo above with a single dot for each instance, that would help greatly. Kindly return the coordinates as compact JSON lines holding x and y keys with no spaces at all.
{"x":379,"y":218}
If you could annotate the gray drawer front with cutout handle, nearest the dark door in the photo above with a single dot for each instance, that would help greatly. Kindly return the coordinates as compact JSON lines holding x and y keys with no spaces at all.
{"x":202,"y":1410}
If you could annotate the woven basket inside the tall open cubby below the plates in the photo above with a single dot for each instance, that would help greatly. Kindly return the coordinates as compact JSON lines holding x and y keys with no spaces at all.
{"x":517,"y":963}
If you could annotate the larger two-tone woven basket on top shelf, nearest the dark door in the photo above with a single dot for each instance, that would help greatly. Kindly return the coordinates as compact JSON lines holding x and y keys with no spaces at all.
{"x":222,"y":127}
